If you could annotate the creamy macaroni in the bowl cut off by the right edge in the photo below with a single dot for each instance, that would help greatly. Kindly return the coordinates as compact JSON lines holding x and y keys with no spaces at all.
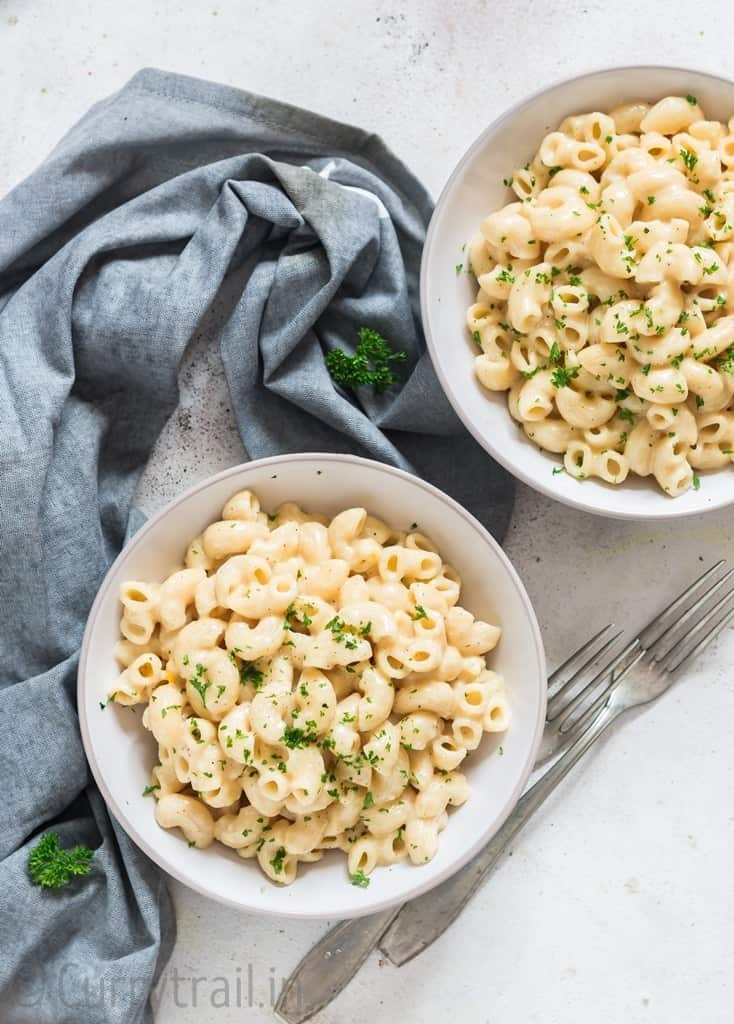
{"x":607,"y":294}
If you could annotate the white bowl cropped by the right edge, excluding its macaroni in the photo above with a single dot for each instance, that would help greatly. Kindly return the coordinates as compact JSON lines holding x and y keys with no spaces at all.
{"x":474,"y":190}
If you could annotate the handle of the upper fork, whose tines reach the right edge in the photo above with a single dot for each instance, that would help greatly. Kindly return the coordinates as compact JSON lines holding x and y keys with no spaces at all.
{"x":423,"y":920}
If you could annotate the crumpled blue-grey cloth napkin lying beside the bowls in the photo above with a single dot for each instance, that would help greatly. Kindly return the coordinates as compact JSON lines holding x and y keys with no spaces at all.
{"x":111,"y":254}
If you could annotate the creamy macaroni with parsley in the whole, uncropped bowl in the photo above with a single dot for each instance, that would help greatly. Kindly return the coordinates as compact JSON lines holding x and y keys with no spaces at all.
{"x":312,"y":685}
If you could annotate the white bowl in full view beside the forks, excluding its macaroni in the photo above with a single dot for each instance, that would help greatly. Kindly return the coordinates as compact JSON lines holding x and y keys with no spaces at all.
{"x":122,"y":753}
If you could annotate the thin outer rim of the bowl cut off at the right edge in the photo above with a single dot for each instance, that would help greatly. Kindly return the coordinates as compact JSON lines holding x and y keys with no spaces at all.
{"x":512,"y":467}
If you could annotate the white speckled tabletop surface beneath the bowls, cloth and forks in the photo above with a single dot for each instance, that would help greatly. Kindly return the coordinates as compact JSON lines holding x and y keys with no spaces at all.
{"x":617,"y":904}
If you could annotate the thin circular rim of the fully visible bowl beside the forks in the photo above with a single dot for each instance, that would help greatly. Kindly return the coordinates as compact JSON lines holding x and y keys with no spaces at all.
{"x":84,"y":674}
